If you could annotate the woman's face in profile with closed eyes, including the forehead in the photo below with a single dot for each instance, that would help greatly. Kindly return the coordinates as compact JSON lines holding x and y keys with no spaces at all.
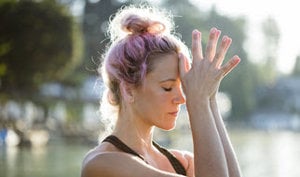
{"x":158,"y":99}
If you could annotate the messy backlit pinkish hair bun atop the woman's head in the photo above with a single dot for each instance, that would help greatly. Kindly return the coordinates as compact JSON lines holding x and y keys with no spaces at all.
{"x":138,"y":20}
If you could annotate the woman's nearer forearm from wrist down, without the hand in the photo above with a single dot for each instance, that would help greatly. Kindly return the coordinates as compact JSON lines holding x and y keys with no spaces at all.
{"x":209,"y":157}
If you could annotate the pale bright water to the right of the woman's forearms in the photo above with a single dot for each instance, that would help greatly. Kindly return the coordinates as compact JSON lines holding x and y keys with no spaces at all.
{"x":268,"y":154}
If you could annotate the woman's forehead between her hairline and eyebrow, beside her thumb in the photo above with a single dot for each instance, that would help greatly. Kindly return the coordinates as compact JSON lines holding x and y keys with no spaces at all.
{"x":164,"y":67}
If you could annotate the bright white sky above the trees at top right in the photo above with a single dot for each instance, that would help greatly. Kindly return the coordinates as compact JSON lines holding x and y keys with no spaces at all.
{"x":285,"y":12}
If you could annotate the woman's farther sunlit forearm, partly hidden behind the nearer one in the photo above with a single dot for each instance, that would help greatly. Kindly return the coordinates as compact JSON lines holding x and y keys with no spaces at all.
{"x":233,"y":167}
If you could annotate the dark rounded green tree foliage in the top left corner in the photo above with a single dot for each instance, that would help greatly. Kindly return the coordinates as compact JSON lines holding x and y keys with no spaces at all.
{"x":36,"y":45}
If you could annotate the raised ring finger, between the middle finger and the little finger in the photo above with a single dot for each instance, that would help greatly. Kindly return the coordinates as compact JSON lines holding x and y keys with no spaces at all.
{"x":219,"y":58}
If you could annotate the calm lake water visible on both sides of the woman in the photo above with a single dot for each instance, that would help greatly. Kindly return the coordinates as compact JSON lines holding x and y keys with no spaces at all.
{"x":260,"y":153}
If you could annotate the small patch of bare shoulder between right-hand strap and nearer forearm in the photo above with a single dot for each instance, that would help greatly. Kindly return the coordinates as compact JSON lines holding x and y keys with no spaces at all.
{"x":187,"y":160}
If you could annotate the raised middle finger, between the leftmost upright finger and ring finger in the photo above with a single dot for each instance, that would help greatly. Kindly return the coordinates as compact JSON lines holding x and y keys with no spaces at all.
{"x":212,"y":44}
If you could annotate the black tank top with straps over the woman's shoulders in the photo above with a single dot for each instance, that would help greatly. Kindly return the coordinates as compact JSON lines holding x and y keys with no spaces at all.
{"x":178,"y":167}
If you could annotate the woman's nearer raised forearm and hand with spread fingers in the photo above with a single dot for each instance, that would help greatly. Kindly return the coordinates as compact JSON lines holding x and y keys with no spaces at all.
{"x":199,"y":84}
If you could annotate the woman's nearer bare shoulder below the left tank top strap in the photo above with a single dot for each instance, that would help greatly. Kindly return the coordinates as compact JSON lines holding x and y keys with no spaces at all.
{"x":99,"y":163}
